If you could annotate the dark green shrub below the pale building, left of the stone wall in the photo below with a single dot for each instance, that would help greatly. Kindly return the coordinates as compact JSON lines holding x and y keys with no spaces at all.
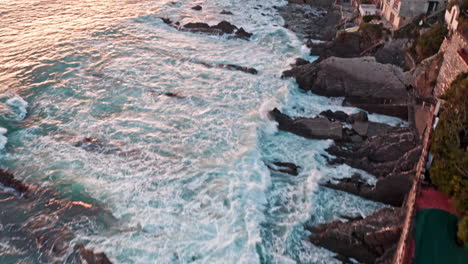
{"x":429,"y":43}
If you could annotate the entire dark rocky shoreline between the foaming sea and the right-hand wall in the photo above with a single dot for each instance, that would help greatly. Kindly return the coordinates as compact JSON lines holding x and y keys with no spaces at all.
{"x":370,"y":76}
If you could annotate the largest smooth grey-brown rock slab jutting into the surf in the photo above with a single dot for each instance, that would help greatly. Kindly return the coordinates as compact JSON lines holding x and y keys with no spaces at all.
{"x":365,"y":83}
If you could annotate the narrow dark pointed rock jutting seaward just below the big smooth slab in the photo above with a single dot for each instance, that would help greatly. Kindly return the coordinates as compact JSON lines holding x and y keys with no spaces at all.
{"x":315,"y":128}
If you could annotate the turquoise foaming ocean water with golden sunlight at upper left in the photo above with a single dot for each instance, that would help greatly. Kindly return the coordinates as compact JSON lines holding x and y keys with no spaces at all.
{"x":186,"y":176}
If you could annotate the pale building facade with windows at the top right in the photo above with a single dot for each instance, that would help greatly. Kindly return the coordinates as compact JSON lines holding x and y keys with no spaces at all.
{"x":400,"y":12}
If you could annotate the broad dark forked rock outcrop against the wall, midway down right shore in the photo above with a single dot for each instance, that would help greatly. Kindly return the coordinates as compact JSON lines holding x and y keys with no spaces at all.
{"x":391,"y":156}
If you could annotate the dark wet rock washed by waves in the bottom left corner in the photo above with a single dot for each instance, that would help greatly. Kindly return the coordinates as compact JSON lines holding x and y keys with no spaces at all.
{"x":38,"y":223}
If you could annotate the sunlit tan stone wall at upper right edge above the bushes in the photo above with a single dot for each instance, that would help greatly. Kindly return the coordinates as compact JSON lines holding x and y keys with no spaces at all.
{"x":454,"y":47}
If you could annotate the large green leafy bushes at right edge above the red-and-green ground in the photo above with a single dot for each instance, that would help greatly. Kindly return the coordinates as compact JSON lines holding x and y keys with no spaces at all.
{"x":449,"y":171}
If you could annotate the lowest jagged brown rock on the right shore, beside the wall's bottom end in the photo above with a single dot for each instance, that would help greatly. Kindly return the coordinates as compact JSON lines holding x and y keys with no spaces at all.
{"x":359,"y":239}
